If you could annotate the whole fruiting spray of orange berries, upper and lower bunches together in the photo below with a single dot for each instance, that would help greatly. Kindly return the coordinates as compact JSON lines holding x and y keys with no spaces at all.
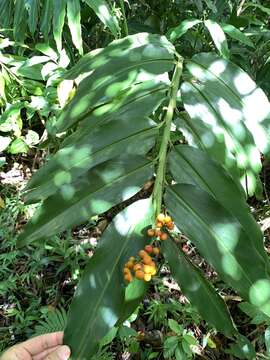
{"x":145,"y":267}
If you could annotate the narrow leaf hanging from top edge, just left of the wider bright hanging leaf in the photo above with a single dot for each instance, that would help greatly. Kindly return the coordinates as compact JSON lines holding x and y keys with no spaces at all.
{"x":59,"y":13}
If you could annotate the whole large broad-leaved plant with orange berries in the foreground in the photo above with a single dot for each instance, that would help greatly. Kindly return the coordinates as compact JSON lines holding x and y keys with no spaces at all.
{"x":195,"y":125}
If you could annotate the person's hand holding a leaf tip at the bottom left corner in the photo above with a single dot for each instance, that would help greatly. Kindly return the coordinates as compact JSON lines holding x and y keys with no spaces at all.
{"x":44,"y":347}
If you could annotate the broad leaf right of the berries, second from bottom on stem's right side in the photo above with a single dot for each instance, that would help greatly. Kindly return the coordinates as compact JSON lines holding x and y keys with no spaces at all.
{"x":222,"y":241}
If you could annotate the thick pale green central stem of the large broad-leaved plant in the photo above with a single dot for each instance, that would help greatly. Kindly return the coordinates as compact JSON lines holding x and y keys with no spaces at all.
{"x":160,"y":177}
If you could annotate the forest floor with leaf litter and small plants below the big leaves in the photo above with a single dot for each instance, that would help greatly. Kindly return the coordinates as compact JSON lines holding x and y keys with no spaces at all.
{"x":37,"y":283}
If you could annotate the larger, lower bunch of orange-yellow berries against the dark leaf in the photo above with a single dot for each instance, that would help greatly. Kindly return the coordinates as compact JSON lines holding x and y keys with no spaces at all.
{"x":144,"y":268}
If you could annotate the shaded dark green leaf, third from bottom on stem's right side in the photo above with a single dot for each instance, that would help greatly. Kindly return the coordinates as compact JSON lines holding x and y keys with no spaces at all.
{"x":192,"y":166}
